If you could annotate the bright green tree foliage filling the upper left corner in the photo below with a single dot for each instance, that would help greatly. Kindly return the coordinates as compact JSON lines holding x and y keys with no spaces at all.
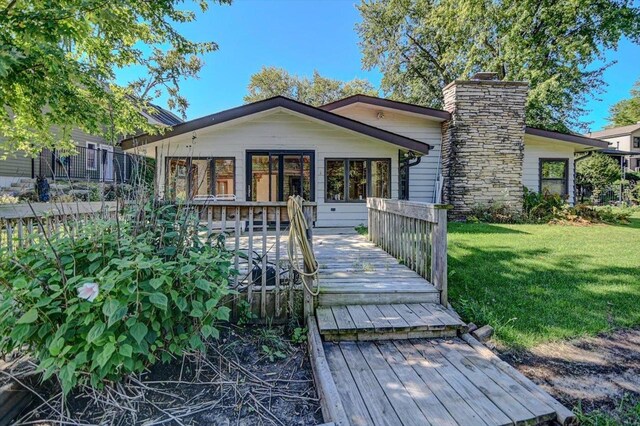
{"x":58,"y":63}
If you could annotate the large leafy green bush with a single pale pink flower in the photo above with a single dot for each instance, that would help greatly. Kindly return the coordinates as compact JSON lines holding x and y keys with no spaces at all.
{"x":114,"y":298}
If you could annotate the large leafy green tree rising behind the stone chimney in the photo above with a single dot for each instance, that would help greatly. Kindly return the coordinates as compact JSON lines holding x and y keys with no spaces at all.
{"x":421,"y":45}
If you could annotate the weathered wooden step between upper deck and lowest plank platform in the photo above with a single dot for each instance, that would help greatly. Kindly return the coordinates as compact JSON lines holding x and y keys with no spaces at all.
{"x":387,"y":321}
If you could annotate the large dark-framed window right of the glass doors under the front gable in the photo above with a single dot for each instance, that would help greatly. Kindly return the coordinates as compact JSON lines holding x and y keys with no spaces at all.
{"x":353,"y":180}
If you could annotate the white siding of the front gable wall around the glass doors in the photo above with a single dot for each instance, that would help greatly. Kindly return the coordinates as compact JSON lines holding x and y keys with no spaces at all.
{"x":284,"y":130}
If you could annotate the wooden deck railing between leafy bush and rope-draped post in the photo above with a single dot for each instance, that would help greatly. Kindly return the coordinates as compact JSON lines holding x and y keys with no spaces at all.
{"x":257,"y":234}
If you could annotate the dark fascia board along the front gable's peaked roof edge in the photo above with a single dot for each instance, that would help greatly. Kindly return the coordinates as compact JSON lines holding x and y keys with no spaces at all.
{"x":290,"y":104}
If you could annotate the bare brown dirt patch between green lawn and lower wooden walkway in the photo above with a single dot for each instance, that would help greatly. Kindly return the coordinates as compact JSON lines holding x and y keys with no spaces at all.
{"x":596,"y":372}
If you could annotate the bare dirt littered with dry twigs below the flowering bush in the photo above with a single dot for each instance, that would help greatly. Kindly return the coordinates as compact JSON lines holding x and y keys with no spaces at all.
{"x":251,"y":376}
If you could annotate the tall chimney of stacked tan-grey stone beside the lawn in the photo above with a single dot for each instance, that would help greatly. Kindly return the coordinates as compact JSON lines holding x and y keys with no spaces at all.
{"x":483,"y":144}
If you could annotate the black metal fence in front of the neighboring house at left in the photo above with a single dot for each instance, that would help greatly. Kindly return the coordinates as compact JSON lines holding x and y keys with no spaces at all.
{"x":93,"y":164}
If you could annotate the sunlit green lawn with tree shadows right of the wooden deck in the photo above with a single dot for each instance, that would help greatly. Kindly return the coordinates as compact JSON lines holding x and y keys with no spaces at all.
{"x":537,"y":283}
